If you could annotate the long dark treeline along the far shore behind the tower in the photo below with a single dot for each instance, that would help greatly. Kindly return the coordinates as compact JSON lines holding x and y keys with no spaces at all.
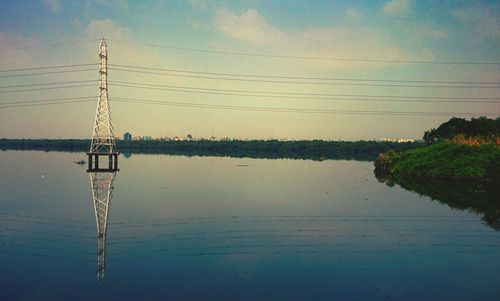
{"x":301,"y":149}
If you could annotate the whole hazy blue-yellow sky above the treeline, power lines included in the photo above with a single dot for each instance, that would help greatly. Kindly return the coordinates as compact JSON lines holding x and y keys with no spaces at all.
{"x":336,"y":70}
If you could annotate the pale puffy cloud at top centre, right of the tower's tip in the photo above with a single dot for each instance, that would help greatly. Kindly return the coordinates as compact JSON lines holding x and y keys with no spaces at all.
{"x":249,"y":27}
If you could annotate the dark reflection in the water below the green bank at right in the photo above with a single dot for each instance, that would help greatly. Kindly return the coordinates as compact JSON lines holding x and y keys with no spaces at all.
{"x":477,"y":197}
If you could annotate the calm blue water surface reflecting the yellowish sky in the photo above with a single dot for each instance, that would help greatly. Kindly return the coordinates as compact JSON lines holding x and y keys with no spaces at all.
{"x":203,"y":228}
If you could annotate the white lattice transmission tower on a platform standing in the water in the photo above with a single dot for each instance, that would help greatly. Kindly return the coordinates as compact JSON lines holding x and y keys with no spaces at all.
{"x":103,"y":139}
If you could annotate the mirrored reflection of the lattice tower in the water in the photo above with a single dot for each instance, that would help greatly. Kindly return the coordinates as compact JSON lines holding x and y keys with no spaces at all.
{"x":102,"y":193}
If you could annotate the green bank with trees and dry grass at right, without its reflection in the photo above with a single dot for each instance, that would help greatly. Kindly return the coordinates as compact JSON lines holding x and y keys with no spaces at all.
{"x":458,"y":150}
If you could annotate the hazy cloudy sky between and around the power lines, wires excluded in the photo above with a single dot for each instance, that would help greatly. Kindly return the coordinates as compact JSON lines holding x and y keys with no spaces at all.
{"x":394,"y":30}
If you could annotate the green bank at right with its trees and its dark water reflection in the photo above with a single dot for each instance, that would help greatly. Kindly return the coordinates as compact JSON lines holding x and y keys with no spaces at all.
{"x":460,"y":167}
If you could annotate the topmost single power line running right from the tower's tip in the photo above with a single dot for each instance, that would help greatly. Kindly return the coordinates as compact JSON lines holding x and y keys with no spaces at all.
{"x":359,"y":60}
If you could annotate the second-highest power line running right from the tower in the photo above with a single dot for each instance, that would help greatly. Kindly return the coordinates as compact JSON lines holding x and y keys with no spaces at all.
{"x":306,"y":78}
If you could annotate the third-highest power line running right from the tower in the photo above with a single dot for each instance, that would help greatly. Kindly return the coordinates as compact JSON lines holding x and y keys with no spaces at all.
{"x":307,"y":82}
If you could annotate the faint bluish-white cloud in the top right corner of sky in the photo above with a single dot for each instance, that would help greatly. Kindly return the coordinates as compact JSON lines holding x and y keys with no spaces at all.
{"x":484,"y":20}
